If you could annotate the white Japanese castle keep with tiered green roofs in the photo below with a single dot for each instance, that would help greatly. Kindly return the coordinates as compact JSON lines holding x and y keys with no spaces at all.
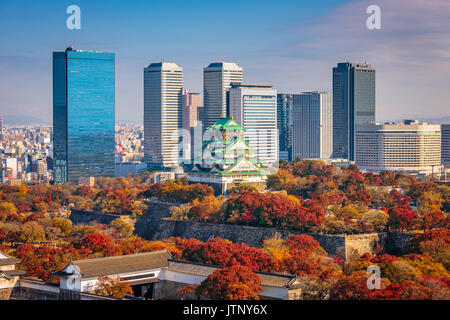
{"x":227,"y":160}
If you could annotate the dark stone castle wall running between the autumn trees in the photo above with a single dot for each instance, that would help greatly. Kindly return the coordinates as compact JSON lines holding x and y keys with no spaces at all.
{"x":156,"y":224}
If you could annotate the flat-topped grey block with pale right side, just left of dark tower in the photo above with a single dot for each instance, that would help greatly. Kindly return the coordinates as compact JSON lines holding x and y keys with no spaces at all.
{"x":312,"y":131}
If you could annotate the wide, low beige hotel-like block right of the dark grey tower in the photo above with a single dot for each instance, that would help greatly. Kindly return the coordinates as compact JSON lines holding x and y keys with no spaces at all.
{"x":411,"y":146}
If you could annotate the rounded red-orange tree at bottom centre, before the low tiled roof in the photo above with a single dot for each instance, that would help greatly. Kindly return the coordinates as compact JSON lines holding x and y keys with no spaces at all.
{"x":232,"y":283}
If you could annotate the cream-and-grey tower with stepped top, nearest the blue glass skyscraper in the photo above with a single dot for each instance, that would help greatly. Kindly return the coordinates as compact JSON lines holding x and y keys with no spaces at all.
{"x":163,"y":104}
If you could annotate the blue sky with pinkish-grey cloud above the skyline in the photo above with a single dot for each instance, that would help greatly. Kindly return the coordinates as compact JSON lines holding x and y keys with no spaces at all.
{"x":290,"y":44}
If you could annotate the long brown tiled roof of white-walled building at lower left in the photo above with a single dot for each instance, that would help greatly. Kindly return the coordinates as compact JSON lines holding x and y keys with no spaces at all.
{"x":93,"y":268}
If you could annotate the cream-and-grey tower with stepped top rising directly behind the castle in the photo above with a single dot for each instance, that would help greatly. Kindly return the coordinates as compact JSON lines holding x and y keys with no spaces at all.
{"x":217,"y":79}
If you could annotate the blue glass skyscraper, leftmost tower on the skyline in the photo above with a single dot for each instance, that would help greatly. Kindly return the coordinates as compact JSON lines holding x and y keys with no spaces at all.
{"x":83,"y":114}
